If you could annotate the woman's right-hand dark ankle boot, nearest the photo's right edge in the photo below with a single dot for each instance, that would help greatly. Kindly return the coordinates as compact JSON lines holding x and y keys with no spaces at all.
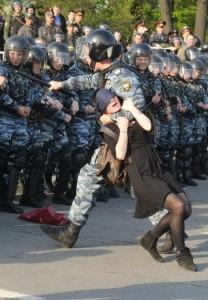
{"x":185,"y":259}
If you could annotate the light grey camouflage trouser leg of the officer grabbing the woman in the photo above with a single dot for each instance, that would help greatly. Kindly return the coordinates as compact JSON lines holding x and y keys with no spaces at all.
{"x":87,"y":184}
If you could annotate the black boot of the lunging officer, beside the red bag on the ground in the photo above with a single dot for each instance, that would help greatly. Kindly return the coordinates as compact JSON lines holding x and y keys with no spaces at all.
{"x":67,"y":235}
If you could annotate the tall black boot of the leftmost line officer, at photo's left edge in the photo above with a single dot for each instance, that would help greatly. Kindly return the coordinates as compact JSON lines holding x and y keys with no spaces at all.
{"x":10,"y":193}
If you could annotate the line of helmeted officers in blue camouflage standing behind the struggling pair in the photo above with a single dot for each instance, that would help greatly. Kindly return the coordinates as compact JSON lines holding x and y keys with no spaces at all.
{"x":45,"y":133}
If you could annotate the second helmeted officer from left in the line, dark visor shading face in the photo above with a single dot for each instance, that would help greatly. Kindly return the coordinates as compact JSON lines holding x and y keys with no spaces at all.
{"x":35,"y":159}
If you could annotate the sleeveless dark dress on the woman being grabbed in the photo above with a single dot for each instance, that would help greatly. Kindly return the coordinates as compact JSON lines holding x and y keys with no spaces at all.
{"x":150,"y":182}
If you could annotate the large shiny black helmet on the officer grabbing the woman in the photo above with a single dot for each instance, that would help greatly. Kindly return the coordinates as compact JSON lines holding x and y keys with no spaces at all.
{"x":101,"y":45}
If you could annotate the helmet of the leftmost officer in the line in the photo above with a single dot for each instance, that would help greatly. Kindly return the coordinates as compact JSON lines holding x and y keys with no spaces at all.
{"x":17,"y":43}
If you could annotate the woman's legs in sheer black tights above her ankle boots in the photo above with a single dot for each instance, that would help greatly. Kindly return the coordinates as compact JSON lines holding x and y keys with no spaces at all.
{"x":179,"y":209}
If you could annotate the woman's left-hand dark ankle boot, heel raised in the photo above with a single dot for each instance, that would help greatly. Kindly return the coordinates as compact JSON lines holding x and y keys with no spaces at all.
{"x":149,"y":243}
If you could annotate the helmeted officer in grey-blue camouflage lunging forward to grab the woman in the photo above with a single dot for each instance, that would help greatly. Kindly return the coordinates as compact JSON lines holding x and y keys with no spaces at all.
{"x":101,"y":46}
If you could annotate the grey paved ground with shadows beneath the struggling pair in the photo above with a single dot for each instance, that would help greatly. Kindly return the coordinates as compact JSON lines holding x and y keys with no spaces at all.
{"x":106,"y":263}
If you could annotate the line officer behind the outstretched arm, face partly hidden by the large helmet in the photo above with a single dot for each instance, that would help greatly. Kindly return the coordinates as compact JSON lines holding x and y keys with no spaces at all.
{"x":83,"y":130}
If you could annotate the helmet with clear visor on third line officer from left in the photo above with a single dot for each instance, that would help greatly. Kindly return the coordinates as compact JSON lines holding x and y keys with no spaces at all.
{"x":59,"y":52}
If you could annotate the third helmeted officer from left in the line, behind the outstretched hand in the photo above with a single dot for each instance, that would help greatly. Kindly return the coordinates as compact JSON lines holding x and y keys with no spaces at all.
{"x":59,"y":154}
